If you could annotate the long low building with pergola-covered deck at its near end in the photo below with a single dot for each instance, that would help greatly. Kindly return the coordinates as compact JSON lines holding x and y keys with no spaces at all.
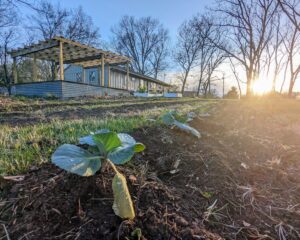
{"x":80,"y":70}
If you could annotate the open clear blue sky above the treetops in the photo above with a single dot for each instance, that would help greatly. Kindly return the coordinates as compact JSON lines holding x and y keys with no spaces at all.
{"x":107,"y":13}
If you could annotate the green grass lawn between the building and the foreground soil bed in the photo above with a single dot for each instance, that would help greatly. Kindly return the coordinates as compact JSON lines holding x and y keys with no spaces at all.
{"x":27,"y":145}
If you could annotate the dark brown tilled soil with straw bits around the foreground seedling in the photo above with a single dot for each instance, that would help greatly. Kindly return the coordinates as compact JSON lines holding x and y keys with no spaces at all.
{"x":239,"y":181}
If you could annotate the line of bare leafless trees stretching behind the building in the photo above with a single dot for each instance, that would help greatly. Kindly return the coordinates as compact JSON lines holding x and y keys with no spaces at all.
{"x":253,"y":37}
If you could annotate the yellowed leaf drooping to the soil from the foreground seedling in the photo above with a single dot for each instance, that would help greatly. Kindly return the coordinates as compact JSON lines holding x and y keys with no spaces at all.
{"x":123,"y":206}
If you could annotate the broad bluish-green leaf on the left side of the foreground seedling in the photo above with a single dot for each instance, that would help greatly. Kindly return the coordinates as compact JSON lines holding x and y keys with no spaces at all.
{"x":76,"y":160}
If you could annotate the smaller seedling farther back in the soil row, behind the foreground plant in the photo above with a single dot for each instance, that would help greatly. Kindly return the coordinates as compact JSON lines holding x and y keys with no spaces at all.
{"x":173,"y":119}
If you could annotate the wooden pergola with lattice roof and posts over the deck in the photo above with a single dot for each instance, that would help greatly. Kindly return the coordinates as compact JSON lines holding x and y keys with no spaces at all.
{"x":65,"y":51}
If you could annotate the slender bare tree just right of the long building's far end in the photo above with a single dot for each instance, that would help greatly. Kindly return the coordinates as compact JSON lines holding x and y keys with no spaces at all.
{"x":187,"y":50}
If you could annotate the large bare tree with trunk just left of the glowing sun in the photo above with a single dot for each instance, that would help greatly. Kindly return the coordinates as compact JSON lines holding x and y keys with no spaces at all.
{"x":249,"y":26}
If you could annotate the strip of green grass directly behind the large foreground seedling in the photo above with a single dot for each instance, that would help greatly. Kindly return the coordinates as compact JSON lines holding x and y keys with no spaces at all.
{"x":22,"y":147}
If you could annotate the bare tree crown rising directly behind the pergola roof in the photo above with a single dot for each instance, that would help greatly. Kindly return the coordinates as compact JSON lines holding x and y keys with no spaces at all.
{"x":51,"y":20}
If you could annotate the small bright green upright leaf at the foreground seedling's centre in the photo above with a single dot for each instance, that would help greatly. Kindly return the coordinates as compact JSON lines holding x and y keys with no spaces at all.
{"x":106,"y":142}
